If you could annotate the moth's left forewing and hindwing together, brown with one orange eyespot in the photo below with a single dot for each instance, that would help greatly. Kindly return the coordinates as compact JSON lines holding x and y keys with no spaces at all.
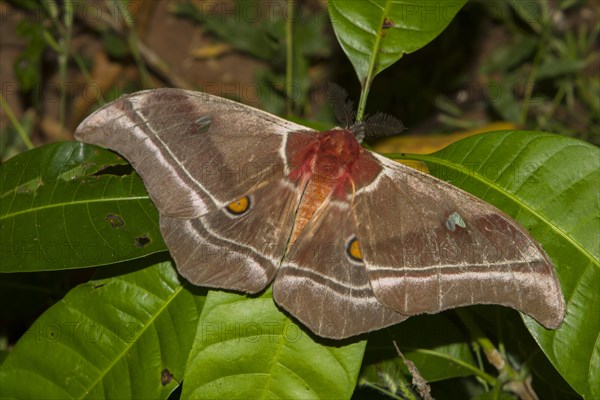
{"x":214,"y":169}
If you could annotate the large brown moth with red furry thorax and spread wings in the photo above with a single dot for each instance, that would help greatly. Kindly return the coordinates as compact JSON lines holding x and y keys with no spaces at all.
{"x":352,"y":241}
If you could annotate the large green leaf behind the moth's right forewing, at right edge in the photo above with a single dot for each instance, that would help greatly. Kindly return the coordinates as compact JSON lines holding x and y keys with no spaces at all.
{"x":549,"y":184}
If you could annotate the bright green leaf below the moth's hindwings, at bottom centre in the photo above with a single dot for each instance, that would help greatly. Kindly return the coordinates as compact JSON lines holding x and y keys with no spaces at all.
{"x":246,"y":348}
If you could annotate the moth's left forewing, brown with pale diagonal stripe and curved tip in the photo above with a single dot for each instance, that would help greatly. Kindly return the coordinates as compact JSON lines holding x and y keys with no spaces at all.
{"x":195,"y":152}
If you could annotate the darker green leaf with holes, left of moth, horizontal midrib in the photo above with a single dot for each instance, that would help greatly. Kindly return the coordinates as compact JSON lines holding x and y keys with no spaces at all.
{"x":71,"y":205}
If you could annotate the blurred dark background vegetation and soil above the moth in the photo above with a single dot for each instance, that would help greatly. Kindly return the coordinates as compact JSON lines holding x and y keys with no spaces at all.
{"x":530,"y":64}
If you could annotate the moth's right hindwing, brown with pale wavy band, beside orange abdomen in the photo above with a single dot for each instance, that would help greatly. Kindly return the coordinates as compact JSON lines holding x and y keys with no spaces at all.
{"x":322,"y":286}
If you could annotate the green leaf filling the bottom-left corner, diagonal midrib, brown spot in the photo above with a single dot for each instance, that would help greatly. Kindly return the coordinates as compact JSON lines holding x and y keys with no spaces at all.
{"x":126,"y":336}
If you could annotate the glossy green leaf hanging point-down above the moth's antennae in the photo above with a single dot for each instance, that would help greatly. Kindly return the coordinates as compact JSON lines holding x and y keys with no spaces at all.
{"x":375,"y":34}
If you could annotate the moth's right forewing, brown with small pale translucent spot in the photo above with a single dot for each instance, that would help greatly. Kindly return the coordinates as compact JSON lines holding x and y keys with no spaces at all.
{"x":421,"y":260}
